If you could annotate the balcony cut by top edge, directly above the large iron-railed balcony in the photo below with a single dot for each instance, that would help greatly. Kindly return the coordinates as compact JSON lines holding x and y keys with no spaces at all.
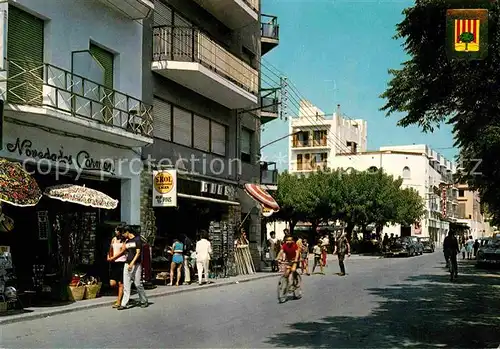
{"x":233,"y":13}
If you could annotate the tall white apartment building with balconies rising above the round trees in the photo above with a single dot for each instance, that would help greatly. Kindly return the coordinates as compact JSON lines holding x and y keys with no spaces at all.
{"x":317,"y":138}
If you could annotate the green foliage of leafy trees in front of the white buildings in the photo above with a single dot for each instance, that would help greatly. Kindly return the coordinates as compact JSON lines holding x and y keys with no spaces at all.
{"x":356,"y":198}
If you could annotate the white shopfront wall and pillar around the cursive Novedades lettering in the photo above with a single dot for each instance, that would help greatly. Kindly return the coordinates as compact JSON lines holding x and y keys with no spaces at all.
{"x":44,"y":142}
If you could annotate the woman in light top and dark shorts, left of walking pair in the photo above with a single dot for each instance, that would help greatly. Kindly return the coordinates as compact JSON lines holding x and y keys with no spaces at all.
{"x":116,"y":274}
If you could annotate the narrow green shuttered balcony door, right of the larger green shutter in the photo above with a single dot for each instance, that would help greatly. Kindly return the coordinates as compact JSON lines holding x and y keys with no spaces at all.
{"x":106,"y":60}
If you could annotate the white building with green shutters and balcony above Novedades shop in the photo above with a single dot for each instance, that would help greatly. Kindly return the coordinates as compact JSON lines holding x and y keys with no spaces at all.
{"x":71,"y":81}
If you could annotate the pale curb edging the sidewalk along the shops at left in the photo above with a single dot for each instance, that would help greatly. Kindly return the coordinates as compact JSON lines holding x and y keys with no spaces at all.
{"x":34,"y":316}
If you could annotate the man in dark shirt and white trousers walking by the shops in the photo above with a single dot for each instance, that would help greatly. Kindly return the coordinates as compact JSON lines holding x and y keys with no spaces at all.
{"x":132,"y":271}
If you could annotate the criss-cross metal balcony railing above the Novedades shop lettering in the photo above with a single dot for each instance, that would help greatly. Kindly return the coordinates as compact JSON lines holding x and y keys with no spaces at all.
{"x":43,"y":84}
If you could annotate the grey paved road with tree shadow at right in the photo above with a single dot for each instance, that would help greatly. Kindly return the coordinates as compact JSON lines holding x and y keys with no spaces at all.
{"x":383,"y":303}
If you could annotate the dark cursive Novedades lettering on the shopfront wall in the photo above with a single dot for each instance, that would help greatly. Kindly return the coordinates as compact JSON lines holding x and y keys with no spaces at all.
{"x":82,"y":161}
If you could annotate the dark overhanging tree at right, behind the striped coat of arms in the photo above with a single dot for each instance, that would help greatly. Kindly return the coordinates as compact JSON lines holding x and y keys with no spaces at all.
{"x":431,"y":89}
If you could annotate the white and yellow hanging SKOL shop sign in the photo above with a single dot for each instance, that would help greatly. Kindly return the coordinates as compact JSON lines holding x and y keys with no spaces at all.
{"x":165,"y":188}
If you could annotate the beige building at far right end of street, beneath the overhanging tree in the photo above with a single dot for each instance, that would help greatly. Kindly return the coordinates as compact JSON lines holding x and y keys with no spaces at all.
{"x":469,"y":211}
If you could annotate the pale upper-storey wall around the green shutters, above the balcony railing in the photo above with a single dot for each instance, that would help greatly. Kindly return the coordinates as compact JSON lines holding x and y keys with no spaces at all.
{"x":72,"y":24}
